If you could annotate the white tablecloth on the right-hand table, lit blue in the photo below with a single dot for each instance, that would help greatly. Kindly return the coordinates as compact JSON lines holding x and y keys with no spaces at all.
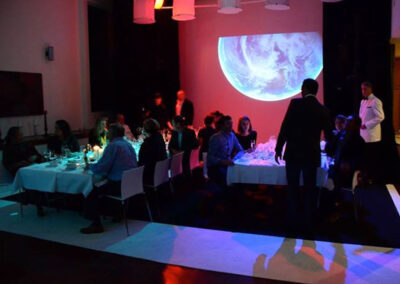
{"x":267,"y":172}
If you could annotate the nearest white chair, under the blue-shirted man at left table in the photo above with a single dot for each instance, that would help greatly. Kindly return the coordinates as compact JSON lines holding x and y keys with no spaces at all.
{"x":131,"y":184}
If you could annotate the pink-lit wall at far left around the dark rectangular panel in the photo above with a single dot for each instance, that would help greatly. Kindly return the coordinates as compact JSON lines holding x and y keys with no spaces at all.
{"x":26,"y":27}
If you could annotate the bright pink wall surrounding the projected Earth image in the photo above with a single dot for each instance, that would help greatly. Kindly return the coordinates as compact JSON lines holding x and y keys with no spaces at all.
{"x":201,"y":74}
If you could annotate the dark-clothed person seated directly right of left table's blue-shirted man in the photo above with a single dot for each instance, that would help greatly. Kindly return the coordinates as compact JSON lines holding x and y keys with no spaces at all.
{"x":152,"y":150}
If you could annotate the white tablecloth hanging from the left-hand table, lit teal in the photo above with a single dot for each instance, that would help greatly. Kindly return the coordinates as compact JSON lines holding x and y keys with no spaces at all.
{"x":43,"y":177}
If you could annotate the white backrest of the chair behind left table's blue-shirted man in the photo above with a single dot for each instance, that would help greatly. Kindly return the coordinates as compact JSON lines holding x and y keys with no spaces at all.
{"x":132,"y":182}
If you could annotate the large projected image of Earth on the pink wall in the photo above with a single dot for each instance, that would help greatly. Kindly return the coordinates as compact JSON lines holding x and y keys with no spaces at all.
{"x":270,"y":67}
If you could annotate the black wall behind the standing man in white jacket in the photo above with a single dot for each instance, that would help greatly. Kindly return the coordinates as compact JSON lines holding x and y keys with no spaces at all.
{"x":357,"y":48}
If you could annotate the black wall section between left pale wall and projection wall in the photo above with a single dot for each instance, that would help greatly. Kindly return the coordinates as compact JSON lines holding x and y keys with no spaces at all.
{"x":129,"y":62}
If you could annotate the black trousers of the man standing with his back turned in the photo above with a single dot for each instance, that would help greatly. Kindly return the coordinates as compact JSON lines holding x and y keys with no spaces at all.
{"x":293,"y":171}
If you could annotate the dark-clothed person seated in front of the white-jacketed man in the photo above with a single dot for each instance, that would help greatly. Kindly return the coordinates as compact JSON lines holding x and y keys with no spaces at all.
{"x":349,"y":154}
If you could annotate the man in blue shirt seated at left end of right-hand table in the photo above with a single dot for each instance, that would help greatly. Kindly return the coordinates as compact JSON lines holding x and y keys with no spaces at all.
{"x":222,"y":148}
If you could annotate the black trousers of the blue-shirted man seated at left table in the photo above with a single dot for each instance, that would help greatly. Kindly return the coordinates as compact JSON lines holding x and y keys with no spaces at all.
{"x":93,"y":200}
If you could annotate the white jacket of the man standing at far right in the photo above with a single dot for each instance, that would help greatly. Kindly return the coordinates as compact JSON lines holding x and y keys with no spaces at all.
{"x":371,"y":114}
